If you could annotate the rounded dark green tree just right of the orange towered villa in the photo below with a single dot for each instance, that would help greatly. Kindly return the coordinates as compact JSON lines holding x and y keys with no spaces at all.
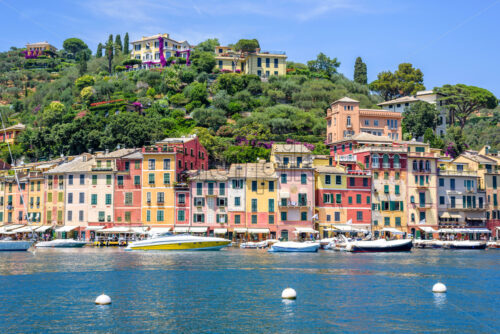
{"x":418,"y":117}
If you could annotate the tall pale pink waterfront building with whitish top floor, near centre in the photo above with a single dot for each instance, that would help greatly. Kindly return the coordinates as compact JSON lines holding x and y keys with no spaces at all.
{"x":294,"y":168}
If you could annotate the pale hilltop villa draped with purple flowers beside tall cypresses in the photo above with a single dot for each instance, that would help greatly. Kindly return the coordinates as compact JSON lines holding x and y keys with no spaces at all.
{"x":147,"y":48}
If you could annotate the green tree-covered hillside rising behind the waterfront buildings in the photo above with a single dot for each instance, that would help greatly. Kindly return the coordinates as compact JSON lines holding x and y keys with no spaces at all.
{"x":71,"y":108}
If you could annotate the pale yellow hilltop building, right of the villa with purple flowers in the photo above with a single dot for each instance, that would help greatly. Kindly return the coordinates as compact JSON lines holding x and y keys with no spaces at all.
{"x":261,"y":63}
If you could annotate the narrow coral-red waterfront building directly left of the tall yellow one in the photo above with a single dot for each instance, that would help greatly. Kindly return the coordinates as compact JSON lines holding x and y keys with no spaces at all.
{"x":127,"y":187}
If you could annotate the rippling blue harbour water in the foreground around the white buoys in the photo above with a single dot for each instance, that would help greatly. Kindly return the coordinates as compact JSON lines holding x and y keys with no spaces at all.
{"x":239,"y":291}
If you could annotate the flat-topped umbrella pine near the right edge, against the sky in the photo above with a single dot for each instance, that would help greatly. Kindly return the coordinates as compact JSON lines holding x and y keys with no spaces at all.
{"x":462,"y":100}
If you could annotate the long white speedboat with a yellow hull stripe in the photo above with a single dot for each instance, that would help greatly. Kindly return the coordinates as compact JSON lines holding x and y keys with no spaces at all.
{"x":179,"y":242}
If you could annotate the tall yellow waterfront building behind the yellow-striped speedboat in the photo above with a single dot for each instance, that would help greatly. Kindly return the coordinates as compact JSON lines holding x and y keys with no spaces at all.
{"x":158,"y":178}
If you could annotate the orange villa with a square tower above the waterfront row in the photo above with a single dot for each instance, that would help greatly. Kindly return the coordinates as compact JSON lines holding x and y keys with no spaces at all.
{"x":345,"y":119}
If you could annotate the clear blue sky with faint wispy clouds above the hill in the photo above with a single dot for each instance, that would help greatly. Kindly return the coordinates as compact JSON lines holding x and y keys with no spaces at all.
{"x":450,"y":41}
